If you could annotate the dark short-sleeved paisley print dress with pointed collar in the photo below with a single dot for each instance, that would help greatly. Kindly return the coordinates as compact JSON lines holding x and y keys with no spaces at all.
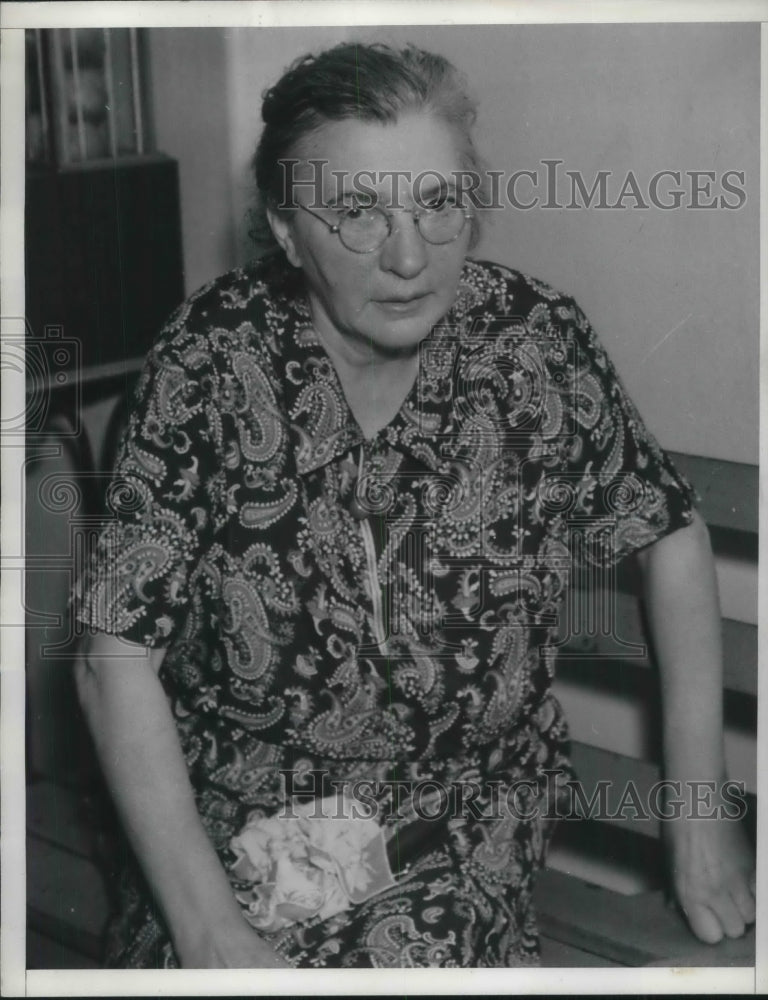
{"x":384,"y":610}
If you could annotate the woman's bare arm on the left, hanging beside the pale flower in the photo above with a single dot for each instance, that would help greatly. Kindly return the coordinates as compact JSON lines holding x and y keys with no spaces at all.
{"x":140,"y":754}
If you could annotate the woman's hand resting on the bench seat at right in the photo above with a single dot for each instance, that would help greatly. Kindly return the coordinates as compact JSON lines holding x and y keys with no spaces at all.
{"x":713,"y":875}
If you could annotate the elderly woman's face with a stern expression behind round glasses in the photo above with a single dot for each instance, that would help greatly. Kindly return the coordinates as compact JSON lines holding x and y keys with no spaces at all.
{"x":387,"y":300}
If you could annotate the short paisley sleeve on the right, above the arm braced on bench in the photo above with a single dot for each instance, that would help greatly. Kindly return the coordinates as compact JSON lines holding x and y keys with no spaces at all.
{"x":618,"y":473}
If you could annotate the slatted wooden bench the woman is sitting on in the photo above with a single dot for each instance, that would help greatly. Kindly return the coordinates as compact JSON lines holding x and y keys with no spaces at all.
{"x":582,"y":923}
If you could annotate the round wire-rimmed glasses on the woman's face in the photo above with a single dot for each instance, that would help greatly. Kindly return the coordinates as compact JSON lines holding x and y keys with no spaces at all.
{"x":363,"y":230}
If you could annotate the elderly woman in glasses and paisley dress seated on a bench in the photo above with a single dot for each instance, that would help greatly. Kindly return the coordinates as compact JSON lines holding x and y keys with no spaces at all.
{"x":356,"y":478}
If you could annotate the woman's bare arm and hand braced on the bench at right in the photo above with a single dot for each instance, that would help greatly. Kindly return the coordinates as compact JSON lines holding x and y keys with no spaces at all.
{"x":711,"y":862}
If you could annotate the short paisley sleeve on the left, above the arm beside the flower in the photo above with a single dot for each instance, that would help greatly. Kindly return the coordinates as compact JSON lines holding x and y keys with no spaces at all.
{"x":160,"y":520}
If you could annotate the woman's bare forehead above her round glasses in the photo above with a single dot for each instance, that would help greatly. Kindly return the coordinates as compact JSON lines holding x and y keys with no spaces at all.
{"x":343,"y":155}
